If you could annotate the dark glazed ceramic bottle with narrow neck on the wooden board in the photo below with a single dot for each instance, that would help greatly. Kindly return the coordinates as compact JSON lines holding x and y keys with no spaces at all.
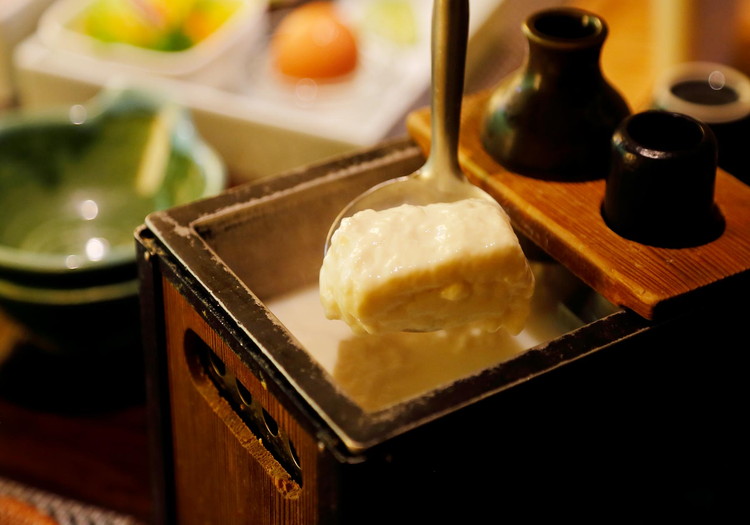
{"x":554,"y":117}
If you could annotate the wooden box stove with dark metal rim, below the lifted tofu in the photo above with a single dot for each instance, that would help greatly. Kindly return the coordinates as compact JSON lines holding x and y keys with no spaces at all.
{"x":618,"y":418}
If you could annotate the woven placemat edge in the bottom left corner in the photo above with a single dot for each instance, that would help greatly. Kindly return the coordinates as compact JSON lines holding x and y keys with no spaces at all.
{"x":64,"y":510}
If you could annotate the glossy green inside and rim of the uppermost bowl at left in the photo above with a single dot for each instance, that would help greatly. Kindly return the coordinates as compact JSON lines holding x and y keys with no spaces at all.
{"x":74,"y":185}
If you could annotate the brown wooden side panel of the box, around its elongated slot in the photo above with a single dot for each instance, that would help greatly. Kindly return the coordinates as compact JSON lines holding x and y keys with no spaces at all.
{"x":224,"y":475}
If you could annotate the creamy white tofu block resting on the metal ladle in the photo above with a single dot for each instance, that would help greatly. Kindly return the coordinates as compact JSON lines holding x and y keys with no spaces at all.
{"x":426,"y":268}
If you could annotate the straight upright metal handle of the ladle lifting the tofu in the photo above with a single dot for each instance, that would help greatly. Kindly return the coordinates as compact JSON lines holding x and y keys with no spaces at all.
{"x":450,"y":29}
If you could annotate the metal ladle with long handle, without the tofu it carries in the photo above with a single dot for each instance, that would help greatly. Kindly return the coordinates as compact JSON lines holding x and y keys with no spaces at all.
{"x":440,"y":179}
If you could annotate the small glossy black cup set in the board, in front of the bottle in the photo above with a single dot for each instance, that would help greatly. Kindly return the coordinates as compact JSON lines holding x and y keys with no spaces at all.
{"x":660,"y":189}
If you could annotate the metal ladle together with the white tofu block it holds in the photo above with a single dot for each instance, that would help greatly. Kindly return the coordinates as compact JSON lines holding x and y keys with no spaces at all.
{"x":429,"y":251}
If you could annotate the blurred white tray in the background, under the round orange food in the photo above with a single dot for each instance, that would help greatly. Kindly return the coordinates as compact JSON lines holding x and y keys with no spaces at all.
{"x":260,"y":126}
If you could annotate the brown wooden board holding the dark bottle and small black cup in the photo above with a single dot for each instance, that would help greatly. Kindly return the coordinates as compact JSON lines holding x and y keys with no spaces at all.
{"x":564,"y":219}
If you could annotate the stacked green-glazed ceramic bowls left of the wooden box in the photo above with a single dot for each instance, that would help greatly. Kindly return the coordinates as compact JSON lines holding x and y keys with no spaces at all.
{"x":74,"y":185}
